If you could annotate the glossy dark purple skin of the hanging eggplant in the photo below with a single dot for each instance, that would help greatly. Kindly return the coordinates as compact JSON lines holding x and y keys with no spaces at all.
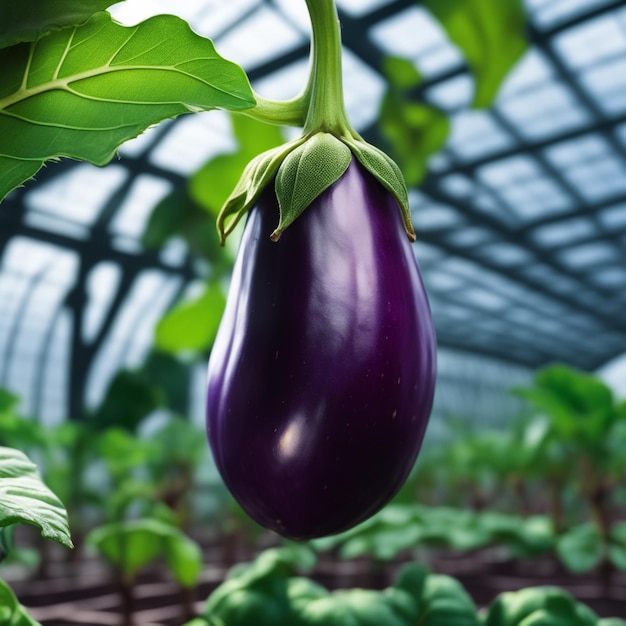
{"x":322,"y":375}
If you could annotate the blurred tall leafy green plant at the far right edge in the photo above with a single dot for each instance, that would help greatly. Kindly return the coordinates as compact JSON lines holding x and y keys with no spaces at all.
{"x":585,"y":424}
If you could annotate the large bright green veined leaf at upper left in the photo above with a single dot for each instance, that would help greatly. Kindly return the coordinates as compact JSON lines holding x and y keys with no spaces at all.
{"x":82,"y":91}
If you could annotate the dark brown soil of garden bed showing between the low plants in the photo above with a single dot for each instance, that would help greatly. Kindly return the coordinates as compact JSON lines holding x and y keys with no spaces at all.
{"x":87,"y":595}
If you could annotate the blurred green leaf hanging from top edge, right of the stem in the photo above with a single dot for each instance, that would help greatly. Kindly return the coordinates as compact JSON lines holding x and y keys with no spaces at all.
{"x":491,"y":35}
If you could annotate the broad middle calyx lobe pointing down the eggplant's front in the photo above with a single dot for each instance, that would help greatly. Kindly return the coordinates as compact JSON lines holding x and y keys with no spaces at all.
{"x":306,"y":172}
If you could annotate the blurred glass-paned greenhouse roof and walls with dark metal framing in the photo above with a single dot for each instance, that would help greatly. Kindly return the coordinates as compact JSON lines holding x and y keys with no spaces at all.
{"x":521,"y":218}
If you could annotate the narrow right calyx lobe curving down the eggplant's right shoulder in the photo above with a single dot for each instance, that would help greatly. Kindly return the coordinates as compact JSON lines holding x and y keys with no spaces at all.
{"x":388,"y":174}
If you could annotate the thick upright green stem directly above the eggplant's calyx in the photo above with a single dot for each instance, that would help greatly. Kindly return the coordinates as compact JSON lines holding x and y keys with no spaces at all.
{"x":326,"y":111}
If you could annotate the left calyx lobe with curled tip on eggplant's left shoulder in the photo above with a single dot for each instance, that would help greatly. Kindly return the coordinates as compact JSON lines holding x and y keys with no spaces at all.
{"x":256,"y":176}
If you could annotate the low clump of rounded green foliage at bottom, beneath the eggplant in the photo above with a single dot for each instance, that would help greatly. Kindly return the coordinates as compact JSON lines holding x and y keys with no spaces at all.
{"x":267,"y":591}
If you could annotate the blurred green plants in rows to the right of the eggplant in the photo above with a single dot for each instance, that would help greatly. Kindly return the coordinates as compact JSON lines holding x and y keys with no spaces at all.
{"x":553,"y":482}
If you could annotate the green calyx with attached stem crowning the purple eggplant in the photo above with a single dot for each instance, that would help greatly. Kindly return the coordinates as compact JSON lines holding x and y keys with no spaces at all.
{"x":305,"y":168}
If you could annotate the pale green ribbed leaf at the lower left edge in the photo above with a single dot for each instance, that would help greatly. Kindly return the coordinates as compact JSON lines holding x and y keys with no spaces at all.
{"x":24,"y":499}
